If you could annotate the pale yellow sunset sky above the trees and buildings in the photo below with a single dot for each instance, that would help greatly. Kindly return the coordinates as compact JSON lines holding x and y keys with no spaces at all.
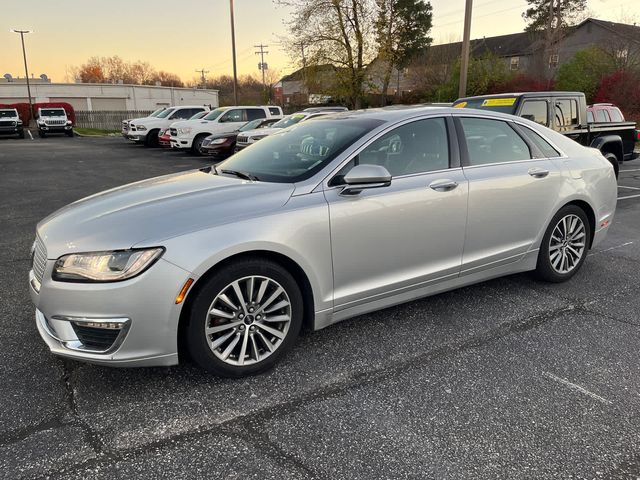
{"x":181,"y":36}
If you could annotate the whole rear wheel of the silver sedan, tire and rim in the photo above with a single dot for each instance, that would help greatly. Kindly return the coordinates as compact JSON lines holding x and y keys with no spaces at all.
{"x":564,"y":246}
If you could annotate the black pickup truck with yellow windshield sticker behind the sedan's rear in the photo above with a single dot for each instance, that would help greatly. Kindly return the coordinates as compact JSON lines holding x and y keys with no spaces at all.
{"x":565,"y":112}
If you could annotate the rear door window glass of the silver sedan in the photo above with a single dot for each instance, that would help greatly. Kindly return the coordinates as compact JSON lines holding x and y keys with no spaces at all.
{"x":493,"y":141}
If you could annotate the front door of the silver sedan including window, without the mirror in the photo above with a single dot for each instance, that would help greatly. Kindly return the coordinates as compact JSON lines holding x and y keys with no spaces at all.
{"x":393,"y":239}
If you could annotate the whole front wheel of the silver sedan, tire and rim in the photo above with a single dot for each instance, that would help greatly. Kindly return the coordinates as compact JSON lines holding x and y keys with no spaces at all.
{"x":244,"y":318}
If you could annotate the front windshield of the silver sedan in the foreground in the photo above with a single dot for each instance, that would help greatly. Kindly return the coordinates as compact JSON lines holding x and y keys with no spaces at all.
{"x":299,"y":152}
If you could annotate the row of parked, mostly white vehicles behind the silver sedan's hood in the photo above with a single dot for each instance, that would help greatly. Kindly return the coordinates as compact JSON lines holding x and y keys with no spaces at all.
{"x":219,"y":132}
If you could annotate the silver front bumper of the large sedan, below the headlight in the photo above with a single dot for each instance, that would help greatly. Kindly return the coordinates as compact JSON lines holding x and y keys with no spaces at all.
{"x":143,"y":310}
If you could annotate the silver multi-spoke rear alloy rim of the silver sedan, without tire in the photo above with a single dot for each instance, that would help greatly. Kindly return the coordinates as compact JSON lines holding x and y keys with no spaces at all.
{"x":567,"y":244}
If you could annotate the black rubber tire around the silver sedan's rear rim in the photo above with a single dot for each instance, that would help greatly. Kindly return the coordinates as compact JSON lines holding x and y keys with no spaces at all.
{"x":545,"y":269}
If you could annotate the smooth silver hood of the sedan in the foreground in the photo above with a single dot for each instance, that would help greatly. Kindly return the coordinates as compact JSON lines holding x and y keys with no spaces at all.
{"x":147,"y":212}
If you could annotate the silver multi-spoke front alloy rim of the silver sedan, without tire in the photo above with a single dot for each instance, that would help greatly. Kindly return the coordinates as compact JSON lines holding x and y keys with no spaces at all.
{"x":248,"y":320}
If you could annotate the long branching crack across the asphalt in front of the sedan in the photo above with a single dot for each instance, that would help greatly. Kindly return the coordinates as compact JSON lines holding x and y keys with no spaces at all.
{"x":247,"y":421}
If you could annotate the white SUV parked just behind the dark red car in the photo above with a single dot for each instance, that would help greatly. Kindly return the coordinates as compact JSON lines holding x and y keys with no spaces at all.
{"x":191,"y":134}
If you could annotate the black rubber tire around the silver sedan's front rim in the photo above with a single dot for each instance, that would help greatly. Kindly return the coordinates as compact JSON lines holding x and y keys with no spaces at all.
{"x":198,"y":342}
